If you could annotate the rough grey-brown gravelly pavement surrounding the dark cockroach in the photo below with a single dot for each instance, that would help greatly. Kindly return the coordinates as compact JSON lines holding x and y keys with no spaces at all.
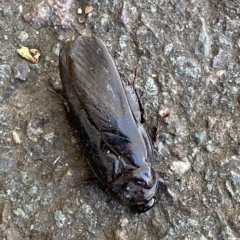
{"x":187,"y":54}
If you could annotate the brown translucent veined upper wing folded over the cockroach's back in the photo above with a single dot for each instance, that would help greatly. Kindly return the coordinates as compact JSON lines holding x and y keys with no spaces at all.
{"x":92,"y":82}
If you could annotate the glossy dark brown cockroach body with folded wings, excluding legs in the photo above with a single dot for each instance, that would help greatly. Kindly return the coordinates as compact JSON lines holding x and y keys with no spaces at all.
{"x":119,"y":150}
